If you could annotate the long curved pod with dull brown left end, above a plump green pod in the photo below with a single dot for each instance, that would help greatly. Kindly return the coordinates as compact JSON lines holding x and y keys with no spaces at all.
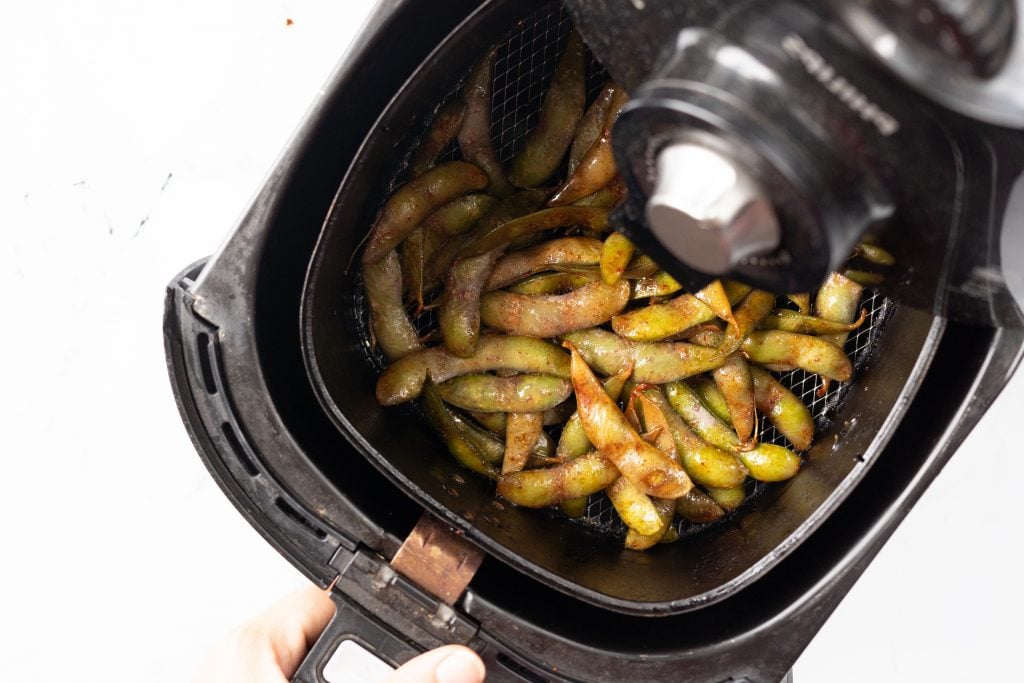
{"x":404,"y":380}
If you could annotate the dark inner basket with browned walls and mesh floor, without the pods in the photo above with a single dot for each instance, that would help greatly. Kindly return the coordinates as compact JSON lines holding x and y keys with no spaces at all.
{"x":584,"y":558}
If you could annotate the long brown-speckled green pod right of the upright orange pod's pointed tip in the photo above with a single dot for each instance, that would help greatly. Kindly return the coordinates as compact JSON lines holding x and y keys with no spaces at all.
{"x":654,"y":363}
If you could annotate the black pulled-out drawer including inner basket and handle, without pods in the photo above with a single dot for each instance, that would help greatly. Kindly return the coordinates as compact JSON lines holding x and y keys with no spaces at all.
{"x":336,"y":483}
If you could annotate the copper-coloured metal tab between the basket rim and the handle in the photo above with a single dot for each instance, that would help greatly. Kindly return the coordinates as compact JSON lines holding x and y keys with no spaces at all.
{"x":438,"y":560}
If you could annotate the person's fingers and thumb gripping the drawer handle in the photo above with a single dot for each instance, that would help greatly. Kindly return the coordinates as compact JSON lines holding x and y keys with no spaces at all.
{"x":270,"y":649}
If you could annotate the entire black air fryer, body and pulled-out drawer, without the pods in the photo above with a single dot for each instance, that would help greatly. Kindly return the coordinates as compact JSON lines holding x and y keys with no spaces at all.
{"x":274,"y":371}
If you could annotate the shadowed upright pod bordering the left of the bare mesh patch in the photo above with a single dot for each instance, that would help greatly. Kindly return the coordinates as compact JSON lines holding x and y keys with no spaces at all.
{"x":475,"y":137}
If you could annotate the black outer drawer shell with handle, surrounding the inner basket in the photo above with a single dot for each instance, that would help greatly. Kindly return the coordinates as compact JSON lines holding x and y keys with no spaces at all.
{"x":233,"y":340}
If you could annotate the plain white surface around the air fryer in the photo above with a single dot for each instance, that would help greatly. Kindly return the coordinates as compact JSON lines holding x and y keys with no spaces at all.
{"x":133,"y":137}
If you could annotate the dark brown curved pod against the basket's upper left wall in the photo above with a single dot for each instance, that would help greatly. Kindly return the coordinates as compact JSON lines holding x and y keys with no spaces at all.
{"x":415,"y":201}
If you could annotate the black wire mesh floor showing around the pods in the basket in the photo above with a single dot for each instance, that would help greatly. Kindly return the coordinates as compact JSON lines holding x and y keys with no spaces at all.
{"x":524,"y":65}
